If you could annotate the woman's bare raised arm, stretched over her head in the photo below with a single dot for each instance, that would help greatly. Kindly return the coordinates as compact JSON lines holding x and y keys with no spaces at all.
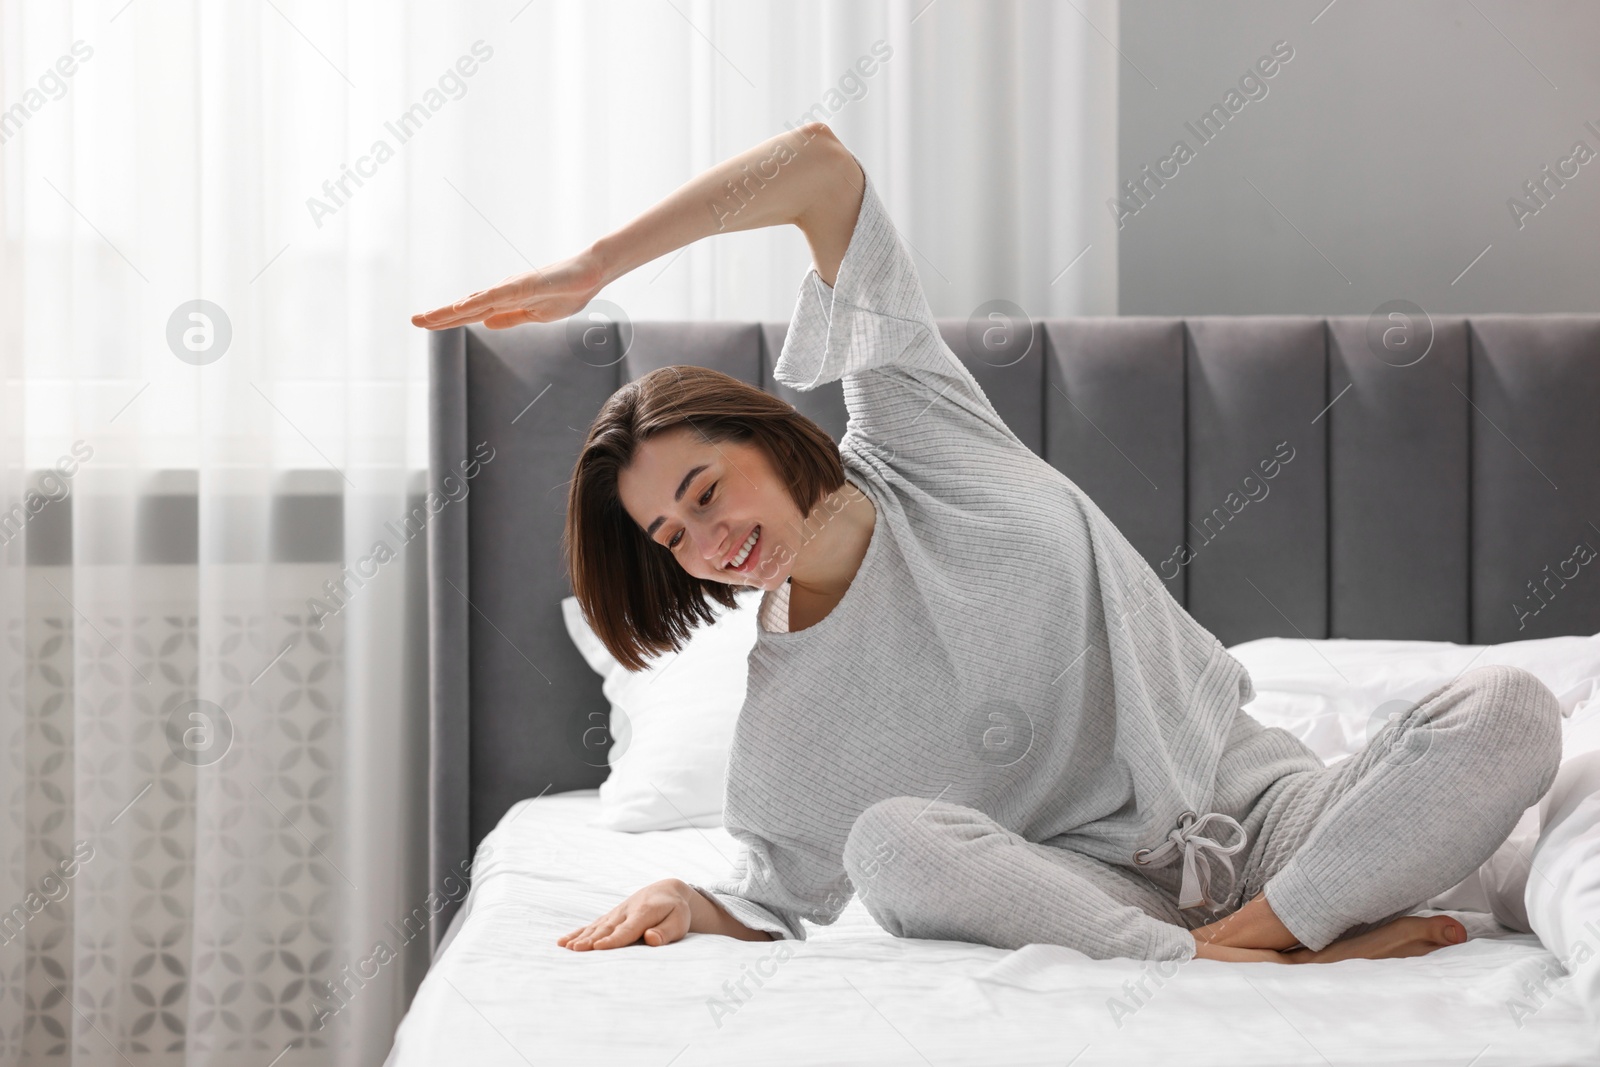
{"x":802,"y":177}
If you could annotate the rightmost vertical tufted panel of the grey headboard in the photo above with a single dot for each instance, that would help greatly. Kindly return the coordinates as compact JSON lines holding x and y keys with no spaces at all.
{"x":1535,"y":476}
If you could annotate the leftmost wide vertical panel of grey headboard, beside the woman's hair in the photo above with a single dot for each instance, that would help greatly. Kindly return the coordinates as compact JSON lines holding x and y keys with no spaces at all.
{"x":532,"y":693}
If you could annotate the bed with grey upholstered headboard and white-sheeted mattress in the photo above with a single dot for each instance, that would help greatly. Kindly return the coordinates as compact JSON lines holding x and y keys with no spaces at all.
{"x":1433,"y":500}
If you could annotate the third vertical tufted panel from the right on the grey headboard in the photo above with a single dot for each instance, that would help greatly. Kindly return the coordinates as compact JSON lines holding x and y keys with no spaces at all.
{"x":1258,"y":543}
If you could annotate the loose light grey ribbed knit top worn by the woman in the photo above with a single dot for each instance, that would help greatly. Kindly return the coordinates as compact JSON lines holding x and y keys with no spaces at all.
{"x":1001,"y":647}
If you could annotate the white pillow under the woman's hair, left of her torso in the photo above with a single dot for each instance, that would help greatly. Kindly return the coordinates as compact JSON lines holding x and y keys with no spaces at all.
{"x":673,"y":722}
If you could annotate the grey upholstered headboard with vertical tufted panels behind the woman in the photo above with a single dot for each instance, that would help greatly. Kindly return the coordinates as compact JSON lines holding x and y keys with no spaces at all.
{"x":1441,"y":500}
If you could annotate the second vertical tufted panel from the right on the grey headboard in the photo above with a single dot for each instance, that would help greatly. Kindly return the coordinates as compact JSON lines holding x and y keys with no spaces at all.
{"x":1398,"y":484}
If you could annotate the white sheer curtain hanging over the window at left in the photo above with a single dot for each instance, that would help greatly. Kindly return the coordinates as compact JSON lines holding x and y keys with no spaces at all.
{"x":212,"y":746}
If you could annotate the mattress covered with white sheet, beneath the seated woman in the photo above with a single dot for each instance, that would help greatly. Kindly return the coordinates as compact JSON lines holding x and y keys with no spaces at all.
{"x":503,"y":993}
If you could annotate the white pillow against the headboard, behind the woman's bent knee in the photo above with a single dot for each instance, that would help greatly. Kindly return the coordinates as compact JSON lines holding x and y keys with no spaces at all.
{"x":1335,"y":695}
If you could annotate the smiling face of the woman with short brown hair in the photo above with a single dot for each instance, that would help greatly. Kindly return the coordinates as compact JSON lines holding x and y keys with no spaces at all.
{"x":705,"y":502}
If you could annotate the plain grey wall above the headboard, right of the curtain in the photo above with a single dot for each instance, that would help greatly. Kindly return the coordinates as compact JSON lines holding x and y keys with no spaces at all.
{"x":1377,"y":167}
